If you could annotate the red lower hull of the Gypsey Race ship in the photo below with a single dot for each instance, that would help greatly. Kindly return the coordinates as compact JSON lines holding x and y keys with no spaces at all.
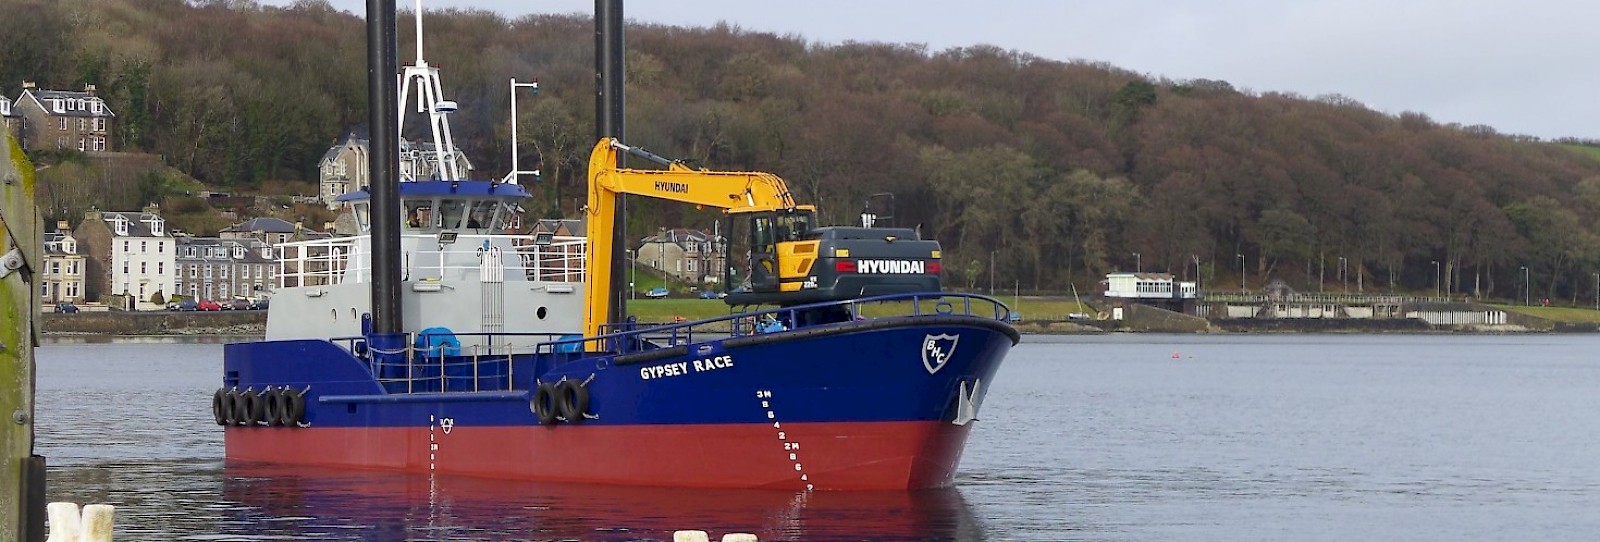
{"x":798,"y":456}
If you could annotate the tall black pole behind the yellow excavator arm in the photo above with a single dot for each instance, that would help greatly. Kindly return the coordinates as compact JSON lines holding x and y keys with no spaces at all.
{"x":609,"y":124}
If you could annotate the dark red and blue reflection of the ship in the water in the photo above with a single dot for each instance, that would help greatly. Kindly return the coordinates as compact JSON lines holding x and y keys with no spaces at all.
{"x":303,"y":503}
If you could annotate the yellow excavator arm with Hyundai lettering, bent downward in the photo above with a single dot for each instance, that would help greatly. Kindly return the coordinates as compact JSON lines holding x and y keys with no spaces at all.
{"x":729,"y":191}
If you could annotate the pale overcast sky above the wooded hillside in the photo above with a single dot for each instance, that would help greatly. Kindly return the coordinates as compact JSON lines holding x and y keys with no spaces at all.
{"x":1524,"y":68}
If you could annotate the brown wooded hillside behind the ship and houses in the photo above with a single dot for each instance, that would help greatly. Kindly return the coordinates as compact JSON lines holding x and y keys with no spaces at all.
{"x":1062,"y":170}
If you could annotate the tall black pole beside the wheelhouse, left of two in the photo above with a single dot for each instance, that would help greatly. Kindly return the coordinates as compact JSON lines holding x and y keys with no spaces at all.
{"x":385,"y":164}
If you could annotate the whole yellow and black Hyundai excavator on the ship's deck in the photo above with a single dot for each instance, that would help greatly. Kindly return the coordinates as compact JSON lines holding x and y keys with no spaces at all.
{"x":791,"y":260}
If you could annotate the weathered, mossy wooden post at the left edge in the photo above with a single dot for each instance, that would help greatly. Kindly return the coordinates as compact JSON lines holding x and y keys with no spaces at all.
{"x":22,"y":472}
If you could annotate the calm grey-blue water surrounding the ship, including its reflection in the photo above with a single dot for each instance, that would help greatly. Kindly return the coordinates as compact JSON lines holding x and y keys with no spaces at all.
{"x":1082,"y":439}
